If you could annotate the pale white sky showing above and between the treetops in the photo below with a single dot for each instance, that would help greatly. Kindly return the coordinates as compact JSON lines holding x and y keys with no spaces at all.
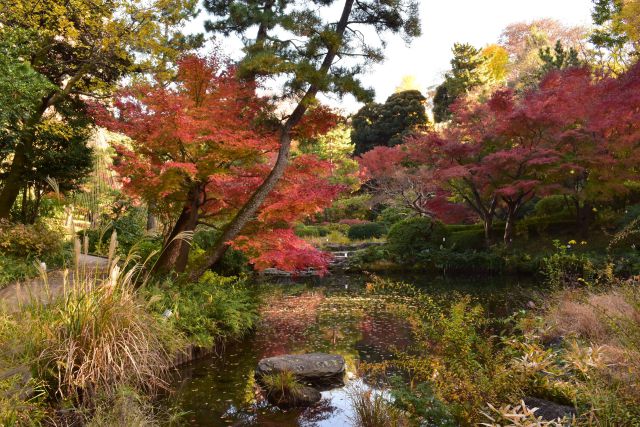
{"x":444,"y":22}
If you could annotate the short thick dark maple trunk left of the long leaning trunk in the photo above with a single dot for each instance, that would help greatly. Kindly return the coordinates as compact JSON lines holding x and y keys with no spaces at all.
{"x":175,"y":254}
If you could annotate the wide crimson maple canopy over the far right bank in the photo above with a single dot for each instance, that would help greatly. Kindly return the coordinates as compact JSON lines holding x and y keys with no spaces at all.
{"x":573,"y":135}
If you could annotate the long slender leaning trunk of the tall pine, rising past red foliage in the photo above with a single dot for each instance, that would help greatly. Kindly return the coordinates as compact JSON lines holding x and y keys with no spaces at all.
{"x":247,"y":212}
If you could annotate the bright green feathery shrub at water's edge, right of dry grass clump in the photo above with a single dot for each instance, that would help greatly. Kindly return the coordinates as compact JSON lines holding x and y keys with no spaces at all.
{"x":213,"y":308}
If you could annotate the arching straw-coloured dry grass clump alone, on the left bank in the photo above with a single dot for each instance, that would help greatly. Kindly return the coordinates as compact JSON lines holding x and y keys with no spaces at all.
{"x":98,"y":337}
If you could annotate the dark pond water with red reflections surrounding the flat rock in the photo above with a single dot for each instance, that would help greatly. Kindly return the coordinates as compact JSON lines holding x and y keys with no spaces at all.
{"x":330,"y":315}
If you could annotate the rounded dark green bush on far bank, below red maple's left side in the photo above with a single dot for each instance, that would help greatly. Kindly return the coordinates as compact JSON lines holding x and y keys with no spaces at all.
{"x":411,"y":236}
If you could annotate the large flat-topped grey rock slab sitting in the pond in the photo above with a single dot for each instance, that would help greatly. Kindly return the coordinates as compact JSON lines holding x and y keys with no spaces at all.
{"x":318,"y":369}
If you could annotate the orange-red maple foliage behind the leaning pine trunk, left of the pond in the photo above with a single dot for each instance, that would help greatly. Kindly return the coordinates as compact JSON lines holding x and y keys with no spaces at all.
{"x":201,"y":146}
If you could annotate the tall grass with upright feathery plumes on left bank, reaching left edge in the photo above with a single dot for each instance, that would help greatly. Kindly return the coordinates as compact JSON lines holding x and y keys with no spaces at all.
{"x":94,"y":339}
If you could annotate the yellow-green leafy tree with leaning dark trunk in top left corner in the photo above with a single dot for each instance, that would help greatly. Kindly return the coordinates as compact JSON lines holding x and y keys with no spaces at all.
{"x":83,"y":48}
